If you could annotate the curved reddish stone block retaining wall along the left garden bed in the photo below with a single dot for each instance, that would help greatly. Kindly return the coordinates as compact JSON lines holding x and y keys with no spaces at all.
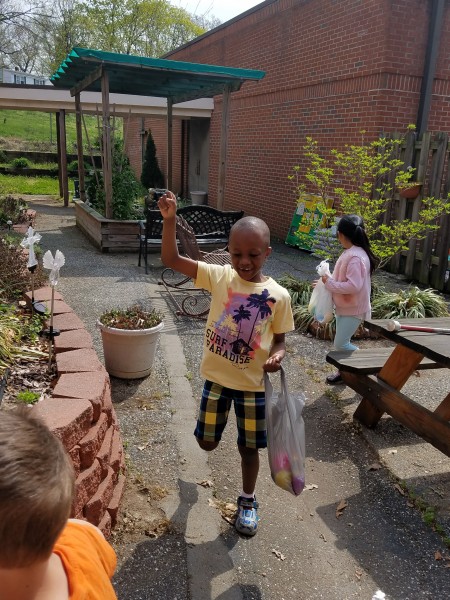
{"x":80,"y":413}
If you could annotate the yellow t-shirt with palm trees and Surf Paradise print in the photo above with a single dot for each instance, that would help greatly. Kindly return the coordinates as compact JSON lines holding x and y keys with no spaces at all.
{"x":242,"y":321}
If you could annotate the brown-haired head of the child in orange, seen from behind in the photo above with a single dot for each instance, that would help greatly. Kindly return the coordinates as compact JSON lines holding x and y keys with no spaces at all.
{"x":36,"y":489}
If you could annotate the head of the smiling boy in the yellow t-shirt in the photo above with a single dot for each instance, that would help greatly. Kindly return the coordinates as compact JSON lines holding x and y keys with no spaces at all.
{"x":249,"y":246}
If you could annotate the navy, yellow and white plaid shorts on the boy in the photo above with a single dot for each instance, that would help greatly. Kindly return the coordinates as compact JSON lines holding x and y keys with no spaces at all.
{"x":250,"y":415}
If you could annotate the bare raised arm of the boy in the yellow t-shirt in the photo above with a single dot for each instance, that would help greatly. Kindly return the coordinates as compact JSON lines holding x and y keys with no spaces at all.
{"x":170,"y":257}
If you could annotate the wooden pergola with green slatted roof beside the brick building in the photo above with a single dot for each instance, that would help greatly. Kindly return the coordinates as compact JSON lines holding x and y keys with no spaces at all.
{"x":176,"y":81}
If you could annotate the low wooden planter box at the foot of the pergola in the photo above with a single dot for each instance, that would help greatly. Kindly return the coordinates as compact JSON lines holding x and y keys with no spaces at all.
{"x":106,"y":234}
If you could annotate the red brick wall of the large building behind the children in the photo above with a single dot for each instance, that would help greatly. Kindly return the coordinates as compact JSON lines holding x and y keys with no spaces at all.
{"x":333,"y":67}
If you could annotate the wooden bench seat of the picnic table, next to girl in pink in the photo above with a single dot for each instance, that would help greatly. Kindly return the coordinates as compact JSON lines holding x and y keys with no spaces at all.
{"x":369,"y":360}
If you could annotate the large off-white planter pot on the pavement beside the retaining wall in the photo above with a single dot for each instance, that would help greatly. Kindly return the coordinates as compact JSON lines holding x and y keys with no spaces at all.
{"x":129,"y":353}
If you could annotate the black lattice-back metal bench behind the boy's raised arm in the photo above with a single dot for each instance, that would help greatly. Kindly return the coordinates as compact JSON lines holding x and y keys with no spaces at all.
{"x":210,"y":225}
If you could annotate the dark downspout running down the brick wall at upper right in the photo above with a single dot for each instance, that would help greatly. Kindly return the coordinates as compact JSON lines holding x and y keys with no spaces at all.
{"x":434,"y":38}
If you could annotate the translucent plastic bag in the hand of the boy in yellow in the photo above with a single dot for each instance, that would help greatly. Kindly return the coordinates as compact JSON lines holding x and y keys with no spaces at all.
{"x":285,"y":436}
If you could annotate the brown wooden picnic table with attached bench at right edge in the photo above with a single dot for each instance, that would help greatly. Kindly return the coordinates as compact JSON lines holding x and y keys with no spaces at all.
{"x":379,"y":374}
